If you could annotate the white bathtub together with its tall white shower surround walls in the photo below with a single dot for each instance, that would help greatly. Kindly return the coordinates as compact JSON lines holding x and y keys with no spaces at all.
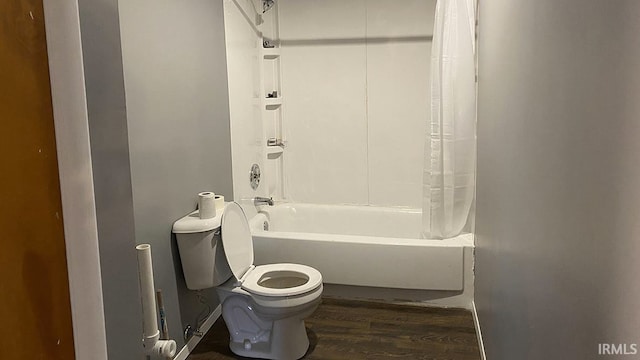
{"x":352,"y":82}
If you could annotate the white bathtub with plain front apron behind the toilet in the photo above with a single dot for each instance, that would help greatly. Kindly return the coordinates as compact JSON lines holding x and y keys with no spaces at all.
{"x":360,"y":245}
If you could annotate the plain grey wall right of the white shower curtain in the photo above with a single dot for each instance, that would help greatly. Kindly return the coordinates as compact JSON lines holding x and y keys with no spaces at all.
{"x":558,"y":197}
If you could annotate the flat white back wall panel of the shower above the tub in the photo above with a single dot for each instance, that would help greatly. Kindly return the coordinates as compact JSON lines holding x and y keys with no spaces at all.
{"x":355,"y":78}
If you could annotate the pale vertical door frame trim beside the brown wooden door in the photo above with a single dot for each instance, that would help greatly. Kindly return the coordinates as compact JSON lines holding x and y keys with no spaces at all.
{"x":62,"y":23}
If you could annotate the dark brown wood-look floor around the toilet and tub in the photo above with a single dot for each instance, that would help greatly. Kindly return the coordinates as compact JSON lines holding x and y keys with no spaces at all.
{"x":348,"y":329}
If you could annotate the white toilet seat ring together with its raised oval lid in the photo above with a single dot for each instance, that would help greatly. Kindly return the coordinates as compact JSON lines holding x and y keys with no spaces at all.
{"x":238,"y":248}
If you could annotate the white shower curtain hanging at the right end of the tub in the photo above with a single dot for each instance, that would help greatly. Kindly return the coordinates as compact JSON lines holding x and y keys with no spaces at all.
{"x":450,"y":149}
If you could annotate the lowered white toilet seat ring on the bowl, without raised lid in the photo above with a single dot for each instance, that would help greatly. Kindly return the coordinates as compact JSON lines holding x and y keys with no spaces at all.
{"x":254,"y":280}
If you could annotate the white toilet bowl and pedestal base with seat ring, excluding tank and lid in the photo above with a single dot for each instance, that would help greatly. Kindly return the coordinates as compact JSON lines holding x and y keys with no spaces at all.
{"x":268,"y":322}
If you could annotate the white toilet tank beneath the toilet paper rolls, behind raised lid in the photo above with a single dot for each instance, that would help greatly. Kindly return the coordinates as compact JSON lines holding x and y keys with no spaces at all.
{"x":203,"y":260}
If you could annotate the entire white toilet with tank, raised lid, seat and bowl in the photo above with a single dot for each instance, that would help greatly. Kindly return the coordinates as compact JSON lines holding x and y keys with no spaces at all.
{"x":263,"y":306}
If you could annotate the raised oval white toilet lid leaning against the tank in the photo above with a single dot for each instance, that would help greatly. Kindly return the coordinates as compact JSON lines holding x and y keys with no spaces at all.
{"x":236,"y":239}
